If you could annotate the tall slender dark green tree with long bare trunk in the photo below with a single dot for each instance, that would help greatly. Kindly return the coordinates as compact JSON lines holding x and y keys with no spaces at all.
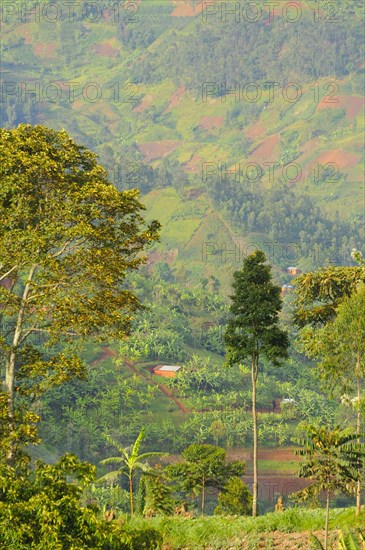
{"x":253,"y":330}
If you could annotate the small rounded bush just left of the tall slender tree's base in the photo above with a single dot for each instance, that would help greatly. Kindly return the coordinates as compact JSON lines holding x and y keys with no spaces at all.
{"x":236,"y":499}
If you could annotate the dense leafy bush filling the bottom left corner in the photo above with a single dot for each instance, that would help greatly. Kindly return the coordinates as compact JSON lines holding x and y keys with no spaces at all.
{"x":41,"y":509}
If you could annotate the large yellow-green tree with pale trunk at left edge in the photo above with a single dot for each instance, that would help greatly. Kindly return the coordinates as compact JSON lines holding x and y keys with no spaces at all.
{"x":68,"y":238}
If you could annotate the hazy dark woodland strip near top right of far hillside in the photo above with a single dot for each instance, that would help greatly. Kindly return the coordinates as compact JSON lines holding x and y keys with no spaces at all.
{"x":188,"y":59}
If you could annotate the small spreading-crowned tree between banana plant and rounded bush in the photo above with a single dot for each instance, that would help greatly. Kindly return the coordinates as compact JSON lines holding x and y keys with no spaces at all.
{"x":204,"y":466}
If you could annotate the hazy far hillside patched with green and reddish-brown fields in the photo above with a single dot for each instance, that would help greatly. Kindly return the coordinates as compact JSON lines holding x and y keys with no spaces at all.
{"x":131,"y":82}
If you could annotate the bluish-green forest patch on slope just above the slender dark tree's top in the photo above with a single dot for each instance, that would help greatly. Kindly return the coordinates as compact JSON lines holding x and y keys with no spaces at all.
{"x":286,"y":218}
